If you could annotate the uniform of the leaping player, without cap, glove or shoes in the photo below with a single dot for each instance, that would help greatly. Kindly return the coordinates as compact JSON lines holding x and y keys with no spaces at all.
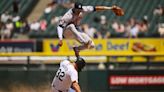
{"x":70,"y":23}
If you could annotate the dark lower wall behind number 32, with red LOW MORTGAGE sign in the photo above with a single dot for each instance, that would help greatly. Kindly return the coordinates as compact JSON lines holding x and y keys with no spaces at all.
{"x":90,"y":81}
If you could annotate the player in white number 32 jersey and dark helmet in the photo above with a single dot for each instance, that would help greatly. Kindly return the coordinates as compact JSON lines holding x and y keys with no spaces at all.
{"x":67,"y":76}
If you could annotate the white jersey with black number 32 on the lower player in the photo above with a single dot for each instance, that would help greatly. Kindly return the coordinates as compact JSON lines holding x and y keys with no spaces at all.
{"x":64,"y":77}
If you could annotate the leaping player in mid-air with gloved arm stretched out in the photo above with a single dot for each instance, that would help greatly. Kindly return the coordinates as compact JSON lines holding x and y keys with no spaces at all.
{"x":69,"y":25}
